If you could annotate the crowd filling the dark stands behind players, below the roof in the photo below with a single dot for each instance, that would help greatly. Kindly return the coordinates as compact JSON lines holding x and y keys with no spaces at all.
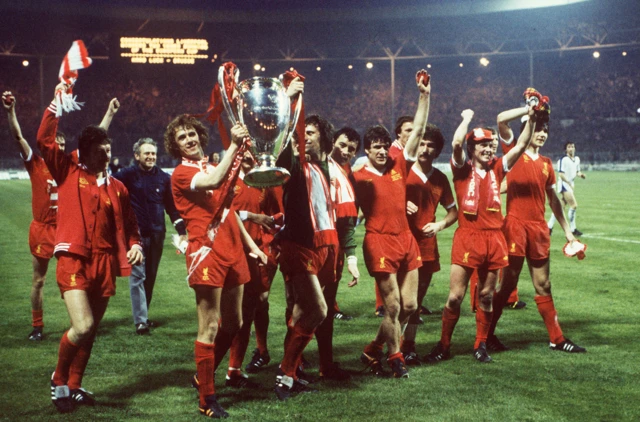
{"x":593,"y":105}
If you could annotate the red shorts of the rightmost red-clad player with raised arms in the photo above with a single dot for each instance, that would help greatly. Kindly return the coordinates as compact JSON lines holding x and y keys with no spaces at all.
{"x":527,"y":238}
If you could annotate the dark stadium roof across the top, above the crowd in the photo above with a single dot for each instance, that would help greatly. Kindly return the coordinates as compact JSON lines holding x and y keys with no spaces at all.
{"x":341,"y":29}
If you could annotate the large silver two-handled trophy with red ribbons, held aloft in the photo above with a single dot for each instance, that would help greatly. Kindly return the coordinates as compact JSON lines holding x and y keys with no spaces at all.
{"x":262,"y":105}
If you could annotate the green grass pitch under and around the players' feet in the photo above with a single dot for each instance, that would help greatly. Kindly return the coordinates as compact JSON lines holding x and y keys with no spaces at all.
{"x":147,"y":378}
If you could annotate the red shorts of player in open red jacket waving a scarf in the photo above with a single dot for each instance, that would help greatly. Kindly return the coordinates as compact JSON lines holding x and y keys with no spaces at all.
{"x":96,"y":275}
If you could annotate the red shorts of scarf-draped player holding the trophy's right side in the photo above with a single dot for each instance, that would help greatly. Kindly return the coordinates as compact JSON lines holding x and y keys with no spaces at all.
{"x":296,"y":259}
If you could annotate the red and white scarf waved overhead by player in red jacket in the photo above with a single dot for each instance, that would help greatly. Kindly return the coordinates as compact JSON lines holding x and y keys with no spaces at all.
{"x":77,"y":58}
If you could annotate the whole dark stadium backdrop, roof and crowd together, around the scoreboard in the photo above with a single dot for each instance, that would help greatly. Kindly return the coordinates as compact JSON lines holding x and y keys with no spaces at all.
{"x":594,"y":102}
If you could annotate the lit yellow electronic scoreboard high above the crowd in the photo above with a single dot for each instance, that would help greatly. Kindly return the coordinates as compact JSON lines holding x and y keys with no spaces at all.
{"x":163,"y":50}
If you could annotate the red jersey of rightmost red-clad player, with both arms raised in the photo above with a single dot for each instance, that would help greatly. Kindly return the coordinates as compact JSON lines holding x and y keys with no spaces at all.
{"x":527,"y":183}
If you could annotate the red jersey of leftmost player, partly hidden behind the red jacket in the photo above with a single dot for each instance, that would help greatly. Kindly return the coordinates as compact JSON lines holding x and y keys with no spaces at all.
{"x":44,"y":190}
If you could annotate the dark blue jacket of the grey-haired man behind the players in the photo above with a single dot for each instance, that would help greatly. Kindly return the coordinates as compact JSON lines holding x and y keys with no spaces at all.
{"x":150,"y":193}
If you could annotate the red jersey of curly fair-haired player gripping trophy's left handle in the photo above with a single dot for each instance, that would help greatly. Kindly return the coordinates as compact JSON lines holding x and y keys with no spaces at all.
{"x":197,"y":207}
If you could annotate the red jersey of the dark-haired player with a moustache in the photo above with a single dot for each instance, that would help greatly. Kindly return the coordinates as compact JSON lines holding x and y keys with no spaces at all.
{"x":426,"y":191}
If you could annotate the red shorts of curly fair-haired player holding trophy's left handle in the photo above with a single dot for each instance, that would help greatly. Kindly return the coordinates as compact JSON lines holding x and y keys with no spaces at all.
{"x":211,"y":273}
